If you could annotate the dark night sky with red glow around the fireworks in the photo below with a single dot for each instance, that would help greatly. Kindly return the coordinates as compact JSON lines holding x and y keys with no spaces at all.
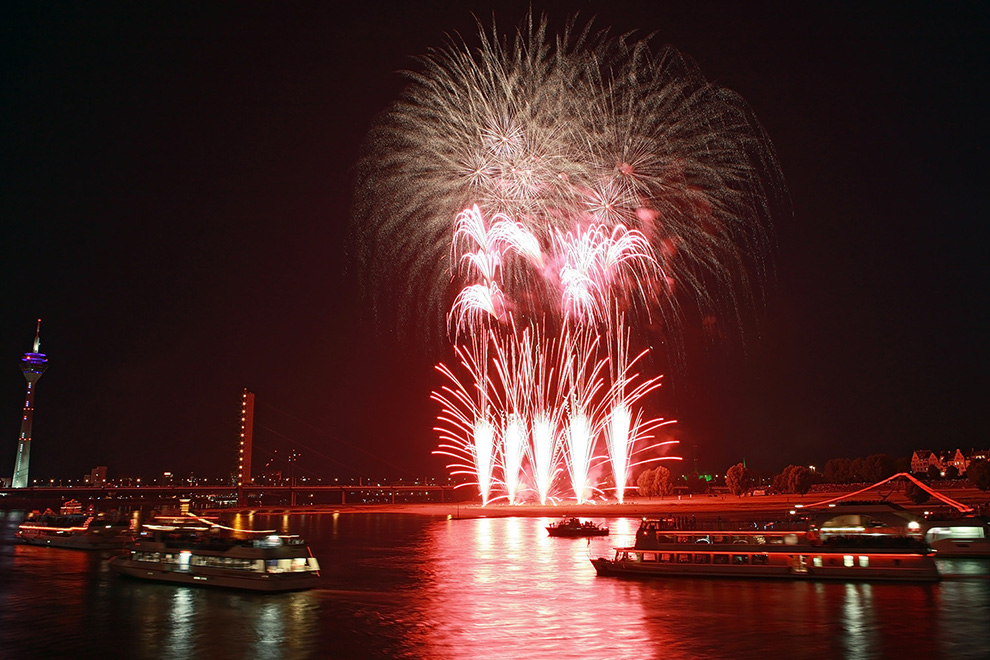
{"x":175,"y":192}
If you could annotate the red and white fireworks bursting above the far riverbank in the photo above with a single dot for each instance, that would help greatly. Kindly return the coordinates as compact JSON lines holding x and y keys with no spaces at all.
{"x":552,"y":200}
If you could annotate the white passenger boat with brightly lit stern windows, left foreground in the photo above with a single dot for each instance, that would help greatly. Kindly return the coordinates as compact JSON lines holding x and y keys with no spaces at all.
{"x":190,"y":549}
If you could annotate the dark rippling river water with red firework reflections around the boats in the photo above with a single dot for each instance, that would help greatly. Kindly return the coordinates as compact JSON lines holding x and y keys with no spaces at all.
{"x":406,"y":586}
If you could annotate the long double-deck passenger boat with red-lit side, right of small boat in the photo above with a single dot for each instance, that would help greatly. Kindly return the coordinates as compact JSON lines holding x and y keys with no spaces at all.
{"x":791,"y":554}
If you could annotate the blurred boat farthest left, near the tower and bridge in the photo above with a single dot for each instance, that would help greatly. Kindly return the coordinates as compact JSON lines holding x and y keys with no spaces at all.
{"x":72,"y":529}
